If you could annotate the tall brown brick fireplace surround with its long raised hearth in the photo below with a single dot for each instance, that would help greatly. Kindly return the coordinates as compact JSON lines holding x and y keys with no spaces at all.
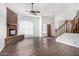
{"x":12,"y":26}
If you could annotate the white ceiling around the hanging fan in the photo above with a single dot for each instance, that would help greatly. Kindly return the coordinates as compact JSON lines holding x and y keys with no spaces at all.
{"x":46,"y":9}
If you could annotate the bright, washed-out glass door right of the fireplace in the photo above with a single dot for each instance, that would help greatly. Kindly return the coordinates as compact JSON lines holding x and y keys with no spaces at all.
{"x":26,"y":28}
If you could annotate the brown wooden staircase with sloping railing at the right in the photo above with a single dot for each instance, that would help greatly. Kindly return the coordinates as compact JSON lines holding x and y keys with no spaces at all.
{"x":64,"y":28}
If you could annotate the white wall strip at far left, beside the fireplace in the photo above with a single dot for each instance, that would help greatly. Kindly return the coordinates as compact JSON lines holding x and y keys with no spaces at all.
{"x":2,"y":25}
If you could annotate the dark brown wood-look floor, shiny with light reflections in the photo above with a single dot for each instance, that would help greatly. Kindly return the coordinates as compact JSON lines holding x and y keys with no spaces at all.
{"x":40,"y":47}
